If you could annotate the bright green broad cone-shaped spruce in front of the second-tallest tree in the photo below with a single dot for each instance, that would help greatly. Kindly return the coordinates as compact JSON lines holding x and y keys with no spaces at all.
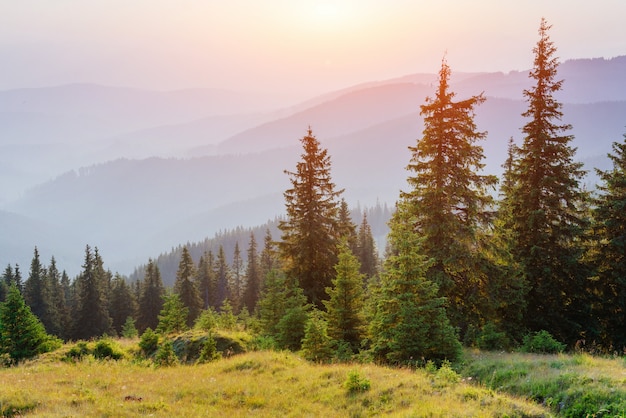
{"x":409,"y":323}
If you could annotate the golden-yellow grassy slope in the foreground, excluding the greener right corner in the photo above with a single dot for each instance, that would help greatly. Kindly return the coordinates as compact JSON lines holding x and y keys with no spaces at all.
{"x":264,"y":384}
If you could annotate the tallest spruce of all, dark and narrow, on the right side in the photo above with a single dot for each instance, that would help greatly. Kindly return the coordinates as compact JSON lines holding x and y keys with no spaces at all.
{"x":546,"y":200}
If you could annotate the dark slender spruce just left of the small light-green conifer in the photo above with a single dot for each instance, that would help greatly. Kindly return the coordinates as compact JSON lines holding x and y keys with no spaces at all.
{"x":151,"y":298}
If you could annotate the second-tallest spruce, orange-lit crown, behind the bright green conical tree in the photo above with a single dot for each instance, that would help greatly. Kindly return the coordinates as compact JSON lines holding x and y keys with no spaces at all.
{"x":450,"y":204}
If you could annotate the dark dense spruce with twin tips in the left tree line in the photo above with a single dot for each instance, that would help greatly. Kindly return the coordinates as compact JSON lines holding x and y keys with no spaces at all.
{"x":92,"y":313}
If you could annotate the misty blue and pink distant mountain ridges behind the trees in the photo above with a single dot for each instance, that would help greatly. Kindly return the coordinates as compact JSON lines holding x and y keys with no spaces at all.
{"x":137,"y":172}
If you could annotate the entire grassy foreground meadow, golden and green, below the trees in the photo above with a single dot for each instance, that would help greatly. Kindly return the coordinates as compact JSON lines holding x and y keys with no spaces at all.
{"x":282,"y":383}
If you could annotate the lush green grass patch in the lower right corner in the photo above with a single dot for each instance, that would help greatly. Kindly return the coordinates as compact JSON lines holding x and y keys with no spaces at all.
{"x":570,"y":385}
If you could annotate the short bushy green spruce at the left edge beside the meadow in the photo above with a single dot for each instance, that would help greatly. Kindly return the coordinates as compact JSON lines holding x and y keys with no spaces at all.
{"x":22,"y":335}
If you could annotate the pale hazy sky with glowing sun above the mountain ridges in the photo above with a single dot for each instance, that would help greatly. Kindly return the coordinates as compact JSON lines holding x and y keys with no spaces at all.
{"x":290,"y":46}
